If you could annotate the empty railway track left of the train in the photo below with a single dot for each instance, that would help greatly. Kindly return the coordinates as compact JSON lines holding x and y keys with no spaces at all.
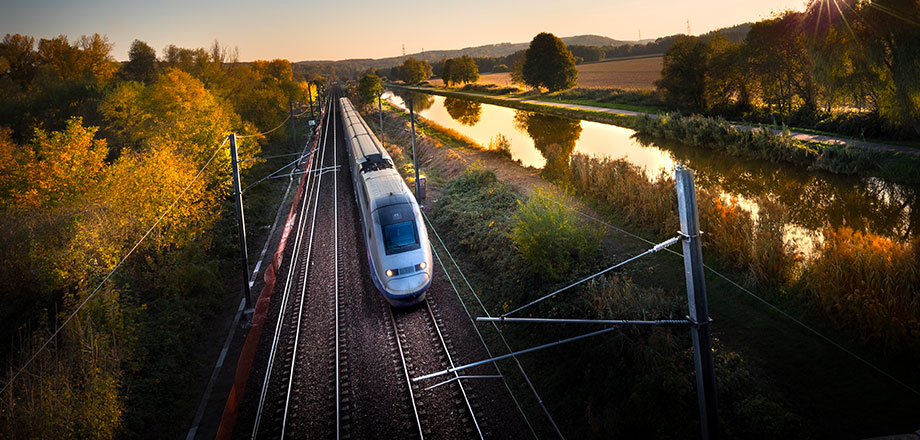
{"x":303,"y":317}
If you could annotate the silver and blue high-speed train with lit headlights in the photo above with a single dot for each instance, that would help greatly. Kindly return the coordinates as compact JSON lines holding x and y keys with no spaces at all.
{"x":394,"y":230}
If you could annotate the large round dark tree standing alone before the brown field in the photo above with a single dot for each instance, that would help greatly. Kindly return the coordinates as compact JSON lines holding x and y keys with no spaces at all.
{"x":548,"y":63}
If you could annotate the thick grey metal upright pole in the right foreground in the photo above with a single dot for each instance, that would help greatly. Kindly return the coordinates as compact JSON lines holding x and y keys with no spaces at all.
{"x":699,"y":308}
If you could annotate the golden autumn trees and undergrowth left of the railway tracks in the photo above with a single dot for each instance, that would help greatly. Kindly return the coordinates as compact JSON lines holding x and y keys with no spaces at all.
{"x":92,"y":153}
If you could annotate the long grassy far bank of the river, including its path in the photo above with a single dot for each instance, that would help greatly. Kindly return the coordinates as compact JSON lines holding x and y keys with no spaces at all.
{"x":812,"y":151}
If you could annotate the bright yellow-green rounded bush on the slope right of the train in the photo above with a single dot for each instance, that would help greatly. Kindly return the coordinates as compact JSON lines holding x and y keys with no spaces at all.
{"x":551,"y":238}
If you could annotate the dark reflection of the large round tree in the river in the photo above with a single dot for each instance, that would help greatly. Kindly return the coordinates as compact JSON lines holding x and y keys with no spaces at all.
{"x":553,"y":136}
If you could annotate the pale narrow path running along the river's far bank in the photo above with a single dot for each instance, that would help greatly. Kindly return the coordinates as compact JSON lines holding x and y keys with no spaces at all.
{"x":802,"y":136}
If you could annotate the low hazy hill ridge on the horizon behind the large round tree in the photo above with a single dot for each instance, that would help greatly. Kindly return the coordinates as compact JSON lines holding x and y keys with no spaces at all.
{"x":489,"y":50}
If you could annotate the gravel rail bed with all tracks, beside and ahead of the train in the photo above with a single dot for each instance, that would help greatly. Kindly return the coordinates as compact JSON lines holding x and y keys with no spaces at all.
{"x":339,"y":361}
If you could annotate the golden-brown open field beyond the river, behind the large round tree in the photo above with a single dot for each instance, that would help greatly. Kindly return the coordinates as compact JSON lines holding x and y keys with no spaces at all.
{"x":628,"y":74}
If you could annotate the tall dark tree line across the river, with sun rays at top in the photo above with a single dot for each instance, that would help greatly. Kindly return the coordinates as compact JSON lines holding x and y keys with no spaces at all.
{"x":852,"y":70}
